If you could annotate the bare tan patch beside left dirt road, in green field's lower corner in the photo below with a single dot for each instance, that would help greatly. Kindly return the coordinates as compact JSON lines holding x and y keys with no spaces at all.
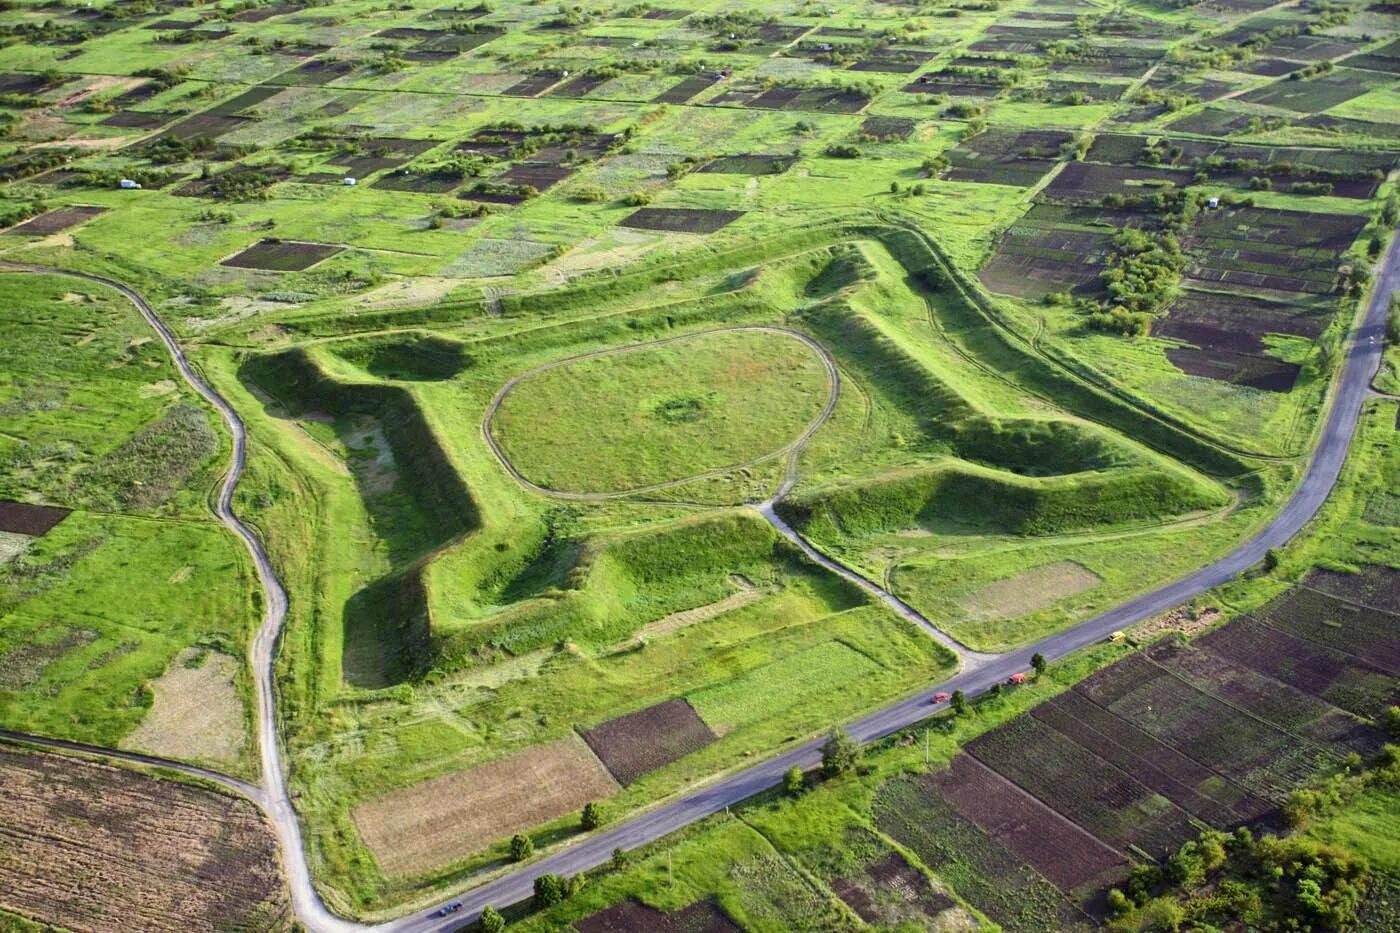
{"x":197,"y":715}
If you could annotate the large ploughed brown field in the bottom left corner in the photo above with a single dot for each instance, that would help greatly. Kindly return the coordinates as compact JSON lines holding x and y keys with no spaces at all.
{"x":142,"y":851}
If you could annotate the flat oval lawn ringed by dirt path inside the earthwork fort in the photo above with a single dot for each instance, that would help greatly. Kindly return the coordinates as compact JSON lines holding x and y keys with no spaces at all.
{"x":660,"y":413}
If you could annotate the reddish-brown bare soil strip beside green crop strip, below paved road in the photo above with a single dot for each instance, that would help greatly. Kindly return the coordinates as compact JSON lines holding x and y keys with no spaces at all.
{"x":1052,"y":845}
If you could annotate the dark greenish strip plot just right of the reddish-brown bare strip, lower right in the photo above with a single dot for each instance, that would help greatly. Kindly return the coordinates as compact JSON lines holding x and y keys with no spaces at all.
{"x":1070,"y":780}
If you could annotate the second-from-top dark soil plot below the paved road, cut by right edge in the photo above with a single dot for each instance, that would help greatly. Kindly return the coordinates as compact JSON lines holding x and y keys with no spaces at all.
{"x":1367,"y":634}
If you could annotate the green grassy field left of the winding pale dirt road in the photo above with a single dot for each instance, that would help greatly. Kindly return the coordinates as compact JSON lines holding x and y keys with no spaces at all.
{"x":125,"y":459}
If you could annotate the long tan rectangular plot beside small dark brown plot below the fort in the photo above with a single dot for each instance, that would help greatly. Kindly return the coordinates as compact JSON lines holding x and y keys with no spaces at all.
{"x":437,"y":822}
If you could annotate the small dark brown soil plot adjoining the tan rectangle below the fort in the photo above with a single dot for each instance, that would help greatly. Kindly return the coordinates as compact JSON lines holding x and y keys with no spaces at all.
{"x":639,"y":743}
